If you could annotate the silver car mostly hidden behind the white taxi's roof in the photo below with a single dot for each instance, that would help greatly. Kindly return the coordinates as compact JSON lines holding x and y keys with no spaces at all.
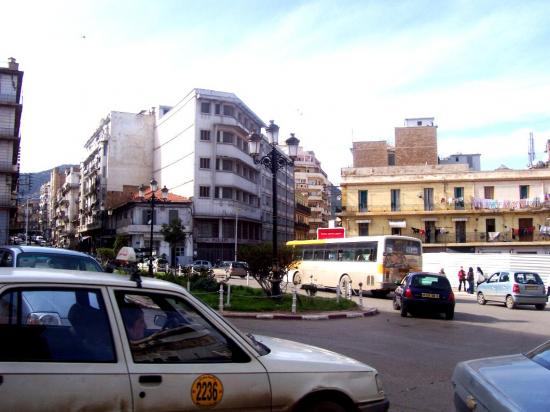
{"x":47,"y":257}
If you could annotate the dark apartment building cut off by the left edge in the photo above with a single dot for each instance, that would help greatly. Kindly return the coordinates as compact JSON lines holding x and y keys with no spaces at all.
{"x":11,"y":79}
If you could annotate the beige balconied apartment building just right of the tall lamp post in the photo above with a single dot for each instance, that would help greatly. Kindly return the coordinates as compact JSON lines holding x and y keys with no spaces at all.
{"x":312,"y":183}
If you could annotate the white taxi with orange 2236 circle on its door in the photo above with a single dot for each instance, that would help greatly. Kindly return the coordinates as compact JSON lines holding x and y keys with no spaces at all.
{"x":71,"y":341}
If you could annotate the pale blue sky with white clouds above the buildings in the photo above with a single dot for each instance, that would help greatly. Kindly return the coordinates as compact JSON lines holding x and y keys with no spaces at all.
{"x":332,"y":72}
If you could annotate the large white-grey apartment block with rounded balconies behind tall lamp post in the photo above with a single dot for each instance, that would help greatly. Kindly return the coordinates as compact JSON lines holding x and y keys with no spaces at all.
{"x":201,"y":152}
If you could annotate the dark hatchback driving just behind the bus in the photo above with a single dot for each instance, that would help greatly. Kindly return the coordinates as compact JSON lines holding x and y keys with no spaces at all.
{"x":424,"y":292}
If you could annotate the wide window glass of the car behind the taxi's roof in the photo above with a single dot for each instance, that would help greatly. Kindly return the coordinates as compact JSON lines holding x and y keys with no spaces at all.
{"x":57,"y":261}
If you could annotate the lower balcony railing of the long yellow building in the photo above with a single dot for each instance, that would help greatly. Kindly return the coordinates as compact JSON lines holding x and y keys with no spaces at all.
{"x":477,"y":237}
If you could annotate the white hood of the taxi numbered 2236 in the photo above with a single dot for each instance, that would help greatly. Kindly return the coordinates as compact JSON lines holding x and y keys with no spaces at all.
{"x":290,"y":356}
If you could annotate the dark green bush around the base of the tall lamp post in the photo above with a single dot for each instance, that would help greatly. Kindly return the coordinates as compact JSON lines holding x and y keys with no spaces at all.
{"x":260,"y":264}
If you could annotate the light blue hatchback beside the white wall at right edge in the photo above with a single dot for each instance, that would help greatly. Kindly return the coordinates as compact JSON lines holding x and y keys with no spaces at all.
{"x":513,"y":288}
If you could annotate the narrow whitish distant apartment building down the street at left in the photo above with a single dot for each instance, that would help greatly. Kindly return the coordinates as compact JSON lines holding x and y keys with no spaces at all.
{"x":67,"y":201}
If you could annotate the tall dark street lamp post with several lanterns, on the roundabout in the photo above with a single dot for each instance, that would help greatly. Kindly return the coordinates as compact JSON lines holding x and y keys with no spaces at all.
{"x":273,"y":161}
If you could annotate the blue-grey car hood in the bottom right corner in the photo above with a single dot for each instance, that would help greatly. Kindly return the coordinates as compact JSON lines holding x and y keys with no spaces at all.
{"x":506,"y":382}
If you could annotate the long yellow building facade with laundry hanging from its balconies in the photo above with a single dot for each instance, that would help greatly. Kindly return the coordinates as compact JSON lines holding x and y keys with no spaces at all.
{"x":450,"y":207}
